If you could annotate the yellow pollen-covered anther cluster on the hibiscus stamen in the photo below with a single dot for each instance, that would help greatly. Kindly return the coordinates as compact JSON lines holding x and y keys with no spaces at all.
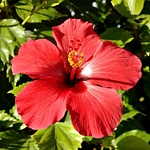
{"x":75,"y":58}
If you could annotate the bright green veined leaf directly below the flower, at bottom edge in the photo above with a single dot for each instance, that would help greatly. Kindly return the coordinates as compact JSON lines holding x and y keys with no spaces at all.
{"x":60,"y":136}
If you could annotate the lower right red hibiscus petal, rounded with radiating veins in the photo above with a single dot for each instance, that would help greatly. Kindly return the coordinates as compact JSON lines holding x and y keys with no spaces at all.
{"x":96,"y":111}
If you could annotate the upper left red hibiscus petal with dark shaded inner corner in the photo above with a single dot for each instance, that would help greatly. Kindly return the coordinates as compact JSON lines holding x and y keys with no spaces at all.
{"x":37,"y":59}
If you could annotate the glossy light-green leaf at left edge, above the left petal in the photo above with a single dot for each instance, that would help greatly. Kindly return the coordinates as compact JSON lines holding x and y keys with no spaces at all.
{"x":11,"y":35}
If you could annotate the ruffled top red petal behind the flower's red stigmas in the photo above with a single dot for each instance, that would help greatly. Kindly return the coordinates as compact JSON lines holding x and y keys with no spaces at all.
{"x":74,"y":34}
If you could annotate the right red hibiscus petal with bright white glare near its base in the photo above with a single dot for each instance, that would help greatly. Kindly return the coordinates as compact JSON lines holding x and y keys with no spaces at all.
{"x":113,"y":67}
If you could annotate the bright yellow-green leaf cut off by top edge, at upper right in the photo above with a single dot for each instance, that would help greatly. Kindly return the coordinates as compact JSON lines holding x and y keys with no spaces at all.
{"x":128,"y":8}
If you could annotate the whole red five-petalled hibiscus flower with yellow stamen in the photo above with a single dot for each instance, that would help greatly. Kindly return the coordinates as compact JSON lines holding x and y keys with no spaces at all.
{"x":79,"y":75}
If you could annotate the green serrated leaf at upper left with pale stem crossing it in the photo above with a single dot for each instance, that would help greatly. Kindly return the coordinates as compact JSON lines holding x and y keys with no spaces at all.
{"x":28,"y":11}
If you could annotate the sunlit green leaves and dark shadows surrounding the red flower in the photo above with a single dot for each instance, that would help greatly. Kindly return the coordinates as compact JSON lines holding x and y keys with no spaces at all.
{"x":124,"y":22}
